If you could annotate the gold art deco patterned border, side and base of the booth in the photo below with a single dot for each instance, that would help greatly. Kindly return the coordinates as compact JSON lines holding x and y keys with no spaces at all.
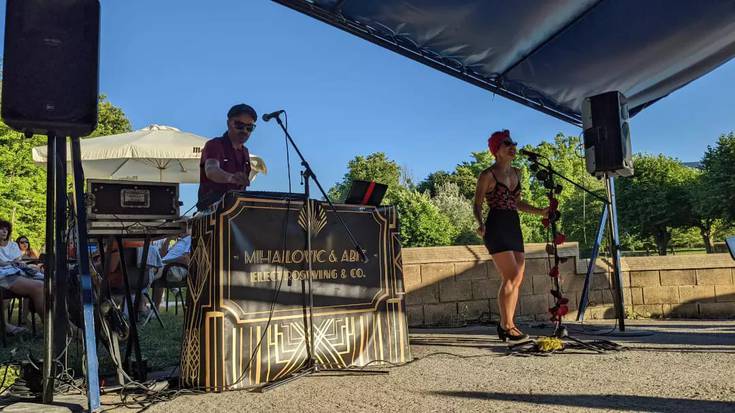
{"x":240,"y":350}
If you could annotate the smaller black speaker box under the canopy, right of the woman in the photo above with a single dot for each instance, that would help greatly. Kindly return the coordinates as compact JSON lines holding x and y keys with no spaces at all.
{"x":607,"y":135}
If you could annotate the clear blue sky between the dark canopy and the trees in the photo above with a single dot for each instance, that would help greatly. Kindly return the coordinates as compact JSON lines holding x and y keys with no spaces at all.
{"x":184,"y":63}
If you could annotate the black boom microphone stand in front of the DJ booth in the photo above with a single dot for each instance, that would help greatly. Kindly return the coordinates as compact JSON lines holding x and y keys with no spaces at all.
{"x":311,"y":365}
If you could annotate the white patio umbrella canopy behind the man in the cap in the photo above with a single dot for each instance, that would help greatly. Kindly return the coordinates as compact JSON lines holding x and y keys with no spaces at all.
{"x":155,"y":154}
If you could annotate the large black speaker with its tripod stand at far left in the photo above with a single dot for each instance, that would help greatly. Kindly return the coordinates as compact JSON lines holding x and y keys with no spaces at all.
{"x":50,"y":87}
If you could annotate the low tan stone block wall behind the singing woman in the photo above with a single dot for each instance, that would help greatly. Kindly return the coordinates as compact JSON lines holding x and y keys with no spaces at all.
{"x":450,"y":285}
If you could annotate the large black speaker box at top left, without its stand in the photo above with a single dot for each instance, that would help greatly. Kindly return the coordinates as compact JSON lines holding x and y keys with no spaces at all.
{"x":50,"y":66}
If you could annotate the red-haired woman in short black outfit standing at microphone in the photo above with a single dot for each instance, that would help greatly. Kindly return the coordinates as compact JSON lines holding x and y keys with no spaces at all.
{"x":499,"y":186}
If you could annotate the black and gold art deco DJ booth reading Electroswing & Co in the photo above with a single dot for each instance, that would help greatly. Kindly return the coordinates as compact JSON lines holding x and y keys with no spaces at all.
{"x":247,"y":307}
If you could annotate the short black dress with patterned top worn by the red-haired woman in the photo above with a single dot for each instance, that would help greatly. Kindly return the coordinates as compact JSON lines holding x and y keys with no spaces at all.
{"x":503,"y":225}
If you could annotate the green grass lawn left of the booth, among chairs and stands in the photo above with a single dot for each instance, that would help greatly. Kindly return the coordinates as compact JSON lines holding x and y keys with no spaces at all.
{"x":159,"y":346}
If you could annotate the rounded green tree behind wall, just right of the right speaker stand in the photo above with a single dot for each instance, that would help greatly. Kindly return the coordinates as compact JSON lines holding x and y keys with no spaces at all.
{"x":654,"y":200}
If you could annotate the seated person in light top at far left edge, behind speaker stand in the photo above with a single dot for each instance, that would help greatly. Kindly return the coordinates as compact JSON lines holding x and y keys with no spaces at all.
{"x":15,"y":275}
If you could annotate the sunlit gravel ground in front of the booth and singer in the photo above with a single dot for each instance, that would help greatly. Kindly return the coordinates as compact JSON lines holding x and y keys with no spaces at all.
{"x":668,"y":366}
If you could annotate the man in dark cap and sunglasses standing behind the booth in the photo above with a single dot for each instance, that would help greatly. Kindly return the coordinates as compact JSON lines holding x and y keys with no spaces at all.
{"x":225,"y":162}
